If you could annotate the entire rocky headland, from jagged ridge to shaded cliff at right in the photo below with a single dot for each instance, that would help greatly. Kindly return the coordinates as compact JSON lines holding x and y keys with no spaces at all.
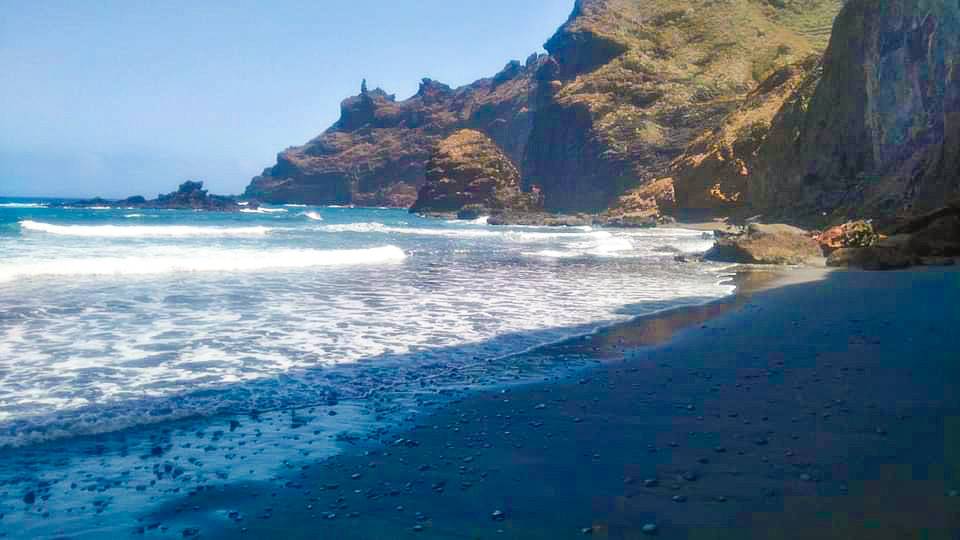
{"x":812,"y":113}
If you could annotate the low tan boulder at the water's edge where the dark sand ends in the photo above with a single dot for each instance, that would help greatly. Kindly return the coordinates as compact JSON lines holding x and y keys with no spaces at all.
{"x":766,"y":244}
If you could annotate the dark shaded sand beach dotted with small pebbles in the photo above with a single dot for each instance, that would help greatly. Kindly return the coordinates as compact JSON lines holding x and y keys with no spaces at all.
{"x":826,"y":409}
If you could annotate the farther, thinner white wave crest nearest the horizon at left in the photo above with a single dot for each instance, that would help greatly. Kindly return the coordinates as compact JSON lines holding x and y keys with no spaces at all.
{"x":138,"y":231}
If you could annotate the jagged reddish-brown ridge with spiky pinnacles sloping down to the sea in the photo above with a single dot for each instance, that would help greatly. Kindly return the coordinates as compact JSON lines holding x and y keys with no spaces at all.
{"x":377,"y":152}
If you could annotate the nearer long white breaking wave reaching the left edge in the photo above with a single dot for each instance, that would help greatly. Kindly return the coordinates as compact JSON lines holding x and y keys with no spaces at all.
{"x":173,"y":260}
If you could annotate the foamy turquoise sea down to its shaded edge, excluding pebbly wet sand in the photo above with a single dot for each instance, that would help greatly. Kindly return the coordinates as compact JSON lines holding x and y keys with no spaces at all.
{"x":110,"y":318}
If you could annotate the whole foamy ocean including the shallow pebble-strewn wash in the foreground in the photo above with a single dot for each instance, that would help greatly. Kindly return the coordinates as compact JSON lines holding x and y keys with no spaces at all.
{"x":119,"y":325}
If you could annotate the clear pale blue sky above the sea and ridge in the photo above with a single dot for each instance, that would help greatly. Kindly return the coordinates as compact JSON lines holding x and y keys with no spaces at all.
{"x":131,"y":97}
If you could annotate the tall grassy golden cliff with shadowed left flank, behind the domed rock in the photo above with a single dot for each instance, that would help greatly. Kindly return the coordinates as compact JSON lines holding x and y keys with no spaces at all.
{"x":630,"y":84}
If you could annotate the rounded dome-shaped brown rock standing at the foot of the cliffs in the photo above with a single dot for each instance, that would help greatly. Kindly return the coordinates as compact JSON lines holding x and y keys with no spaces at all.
{"x":468,"y":170}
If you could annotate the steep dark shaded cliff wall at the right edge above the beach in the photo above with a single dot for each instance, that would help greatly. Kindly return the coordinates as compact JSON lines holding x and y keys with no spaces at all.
{"x":875,"y":131}
